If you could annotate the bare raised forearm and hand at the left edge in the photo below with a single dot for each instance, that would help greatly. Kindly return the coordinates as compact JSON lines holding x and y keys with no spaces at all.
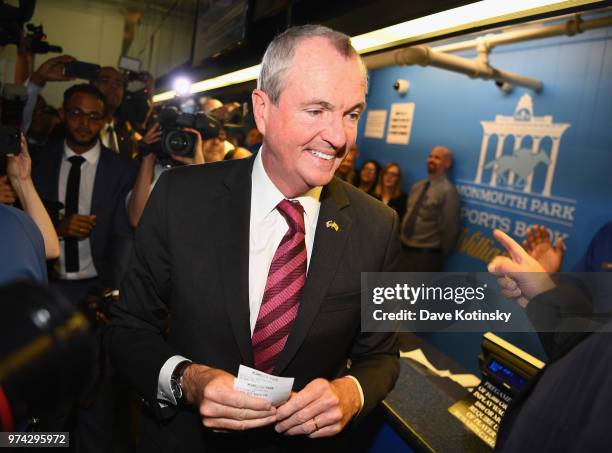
{"x":18,"y":185}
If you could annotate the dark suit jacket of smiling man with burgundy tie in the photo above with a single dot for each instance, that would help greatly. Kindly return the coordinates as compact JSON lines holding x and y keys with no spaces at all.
{"x":187,"y":292}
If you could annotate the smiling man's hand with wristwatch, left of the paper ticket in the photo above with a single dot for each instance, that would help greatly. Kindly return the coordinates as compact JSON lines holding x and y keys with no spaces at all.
{"x":222,"y":407}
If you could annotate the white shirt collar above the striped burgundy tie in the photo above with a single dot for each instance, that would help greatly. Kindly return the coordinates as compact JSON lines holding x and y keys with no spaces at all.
{"x":266,"y":196}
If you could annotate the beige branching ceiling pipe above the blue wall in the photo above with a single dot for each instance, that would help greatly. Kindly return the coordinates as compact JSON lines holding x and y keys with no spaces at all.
{"x":480,"y":67}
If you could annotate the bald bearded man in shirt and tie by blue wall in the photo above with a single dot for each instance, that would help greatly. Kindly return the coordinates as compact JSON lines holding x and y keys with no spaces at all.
{"x":431,"y":224}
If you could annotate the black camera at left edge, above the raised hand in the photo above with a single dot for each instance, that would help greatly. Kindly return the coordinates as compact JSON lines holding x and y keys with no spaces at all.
{"x":12,"y":101}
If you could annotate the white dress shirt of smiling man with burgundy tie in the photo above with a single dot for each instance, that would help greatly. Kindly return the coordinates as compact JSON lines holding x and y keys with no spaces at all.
{"x":266,"y":230}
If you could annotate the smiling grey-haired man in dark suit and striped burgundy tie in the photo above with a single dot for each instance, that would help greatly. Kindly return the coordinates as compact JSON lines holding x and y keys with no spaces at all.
{"x":218,"y":274}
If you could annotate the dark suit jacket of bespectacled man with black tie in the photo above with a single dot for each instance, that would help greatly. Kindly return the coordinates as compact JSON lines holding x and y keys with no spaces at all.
{"x":111,"y":236}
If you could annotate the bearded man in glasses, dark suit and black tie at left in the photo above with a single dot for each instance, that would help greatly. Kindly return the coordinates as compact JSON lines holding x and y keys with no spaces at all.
{"x":91,"y":182}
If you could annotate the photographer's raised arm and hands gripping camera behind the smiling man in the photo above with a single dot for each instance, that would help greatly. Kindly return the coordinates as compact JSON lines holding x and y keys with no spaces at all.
{"x":150,"y":169}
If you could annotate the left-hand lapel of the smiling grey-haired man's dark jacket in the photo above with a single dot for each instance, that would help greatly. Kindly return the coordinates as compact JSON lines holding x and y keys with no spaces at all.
{"x":233,"y":224}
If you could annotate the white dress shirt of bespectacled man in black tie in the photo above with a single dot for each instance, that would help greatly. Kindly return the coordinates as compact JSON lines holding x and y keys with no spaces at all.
{"x":88,"y":177}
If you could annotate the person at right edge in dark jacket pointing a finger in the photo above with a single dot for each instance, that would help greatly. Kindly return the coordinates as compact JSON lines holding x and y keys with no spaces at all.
{"x":566,"y":406}
